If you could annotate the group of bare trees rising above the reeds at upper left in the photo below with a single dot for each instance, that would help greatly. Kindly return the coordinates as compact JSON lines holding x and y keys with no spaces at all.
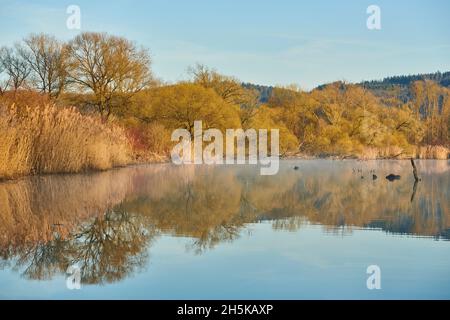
{"x":105,"y":67}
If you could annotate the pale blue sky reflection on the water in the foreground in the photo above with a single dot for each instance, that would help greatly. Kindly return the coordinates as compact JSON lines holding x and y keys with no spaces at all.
{"x":267,"y":265}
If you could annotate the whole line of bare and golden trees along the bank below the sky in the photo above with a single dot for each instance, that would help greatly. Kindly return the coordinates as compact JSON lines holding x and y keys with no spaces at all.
{"x":111,"y":76}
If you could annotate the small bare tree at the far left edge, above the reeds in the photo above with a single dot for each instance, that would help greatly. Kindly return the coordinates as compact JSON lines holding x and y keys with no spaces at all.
{"x":16,"y":68}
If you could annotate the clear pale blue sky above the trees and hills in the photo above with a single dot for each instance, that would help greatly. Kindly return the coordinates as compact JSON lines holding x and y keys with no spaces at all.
{"x":266,"y":42}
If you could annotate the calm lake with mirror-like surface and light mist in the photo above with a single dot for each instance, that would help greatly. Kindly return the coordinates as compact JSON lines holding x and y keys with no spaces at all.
{"x":226,"y":232}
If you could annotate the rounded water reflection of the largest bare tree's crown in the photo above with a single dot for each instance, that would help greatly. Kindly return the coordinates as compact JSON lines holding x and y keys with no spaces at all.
{"x":111,"y":246}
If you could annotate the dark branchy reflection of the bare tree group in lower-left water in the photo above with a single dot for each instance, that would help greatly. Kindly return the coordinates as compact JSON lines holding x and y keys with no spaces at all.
{"x":106,"y":249}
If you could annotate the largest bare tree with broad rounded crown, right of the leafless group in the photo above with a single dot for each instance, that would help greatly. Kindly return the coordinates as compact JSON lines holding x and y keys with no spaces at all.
{"x":110,"y":68}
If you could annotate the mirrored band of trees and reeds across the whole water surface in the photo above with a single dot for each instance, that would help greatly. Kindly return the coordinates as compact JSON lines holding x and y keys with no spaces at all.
{"x":106,"y":222}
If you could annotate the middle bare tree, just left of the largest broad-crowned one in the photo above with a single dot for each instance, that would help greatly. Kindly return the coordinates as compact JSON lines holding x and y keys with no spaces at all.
{"x":46,"y":57}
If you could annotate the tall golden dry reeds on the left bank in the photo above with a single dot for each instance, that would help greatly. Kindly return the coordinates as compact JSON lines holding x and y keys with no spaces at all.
{"x":49,"y":139}
